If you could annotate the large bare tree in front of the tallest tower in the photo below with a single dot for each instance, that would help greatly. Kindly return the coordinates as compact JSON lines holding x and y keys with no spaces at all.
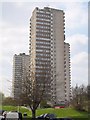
{"x":34,"y":89}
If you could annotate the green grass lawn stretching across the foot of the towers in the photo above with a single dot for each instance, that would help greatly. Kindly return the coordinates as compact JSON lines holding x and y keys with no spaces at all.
{"x":63,"y":112}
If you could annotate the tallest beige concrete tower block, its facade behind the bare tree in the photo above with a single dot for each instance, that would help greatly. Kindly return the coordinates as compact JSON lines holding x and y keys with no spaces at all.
{"x":47,"y":47}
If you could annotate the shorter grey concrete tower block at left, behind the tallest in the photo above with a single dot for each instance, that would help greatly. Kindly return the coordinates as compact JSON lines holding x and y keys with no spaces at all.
{"x":20,"y":66}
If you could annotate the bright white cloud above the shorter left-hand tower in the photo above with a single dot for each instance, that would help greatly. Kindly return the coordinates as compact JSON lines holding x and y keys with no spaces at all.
{"x":14,"y":37}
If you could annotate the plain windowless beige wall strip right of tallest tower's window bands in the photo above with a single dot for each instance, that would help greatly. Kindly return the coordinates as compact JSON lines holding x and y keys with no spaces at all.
{"x":58,"y":36}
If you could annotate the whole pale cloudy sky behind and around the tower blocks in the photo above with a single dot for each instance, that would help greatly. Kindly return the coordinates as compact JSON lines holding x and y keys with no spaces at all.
{"x":14,"y":37}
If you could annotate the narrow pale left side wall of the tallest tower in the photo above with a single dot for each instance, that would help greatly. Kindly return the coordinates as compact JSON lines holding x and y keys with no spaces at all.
{"x":33,"y":41}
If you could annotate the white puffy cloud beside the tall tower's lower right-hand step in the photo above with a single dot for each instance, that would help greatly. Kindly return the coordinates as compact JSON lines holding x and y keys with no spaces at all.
{"x":78,"y":43}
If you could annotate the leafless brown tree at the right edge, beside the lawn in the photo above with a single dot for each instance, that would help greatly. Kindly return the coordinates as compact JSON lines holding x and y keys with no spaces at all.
{"x":80,"y":97}
